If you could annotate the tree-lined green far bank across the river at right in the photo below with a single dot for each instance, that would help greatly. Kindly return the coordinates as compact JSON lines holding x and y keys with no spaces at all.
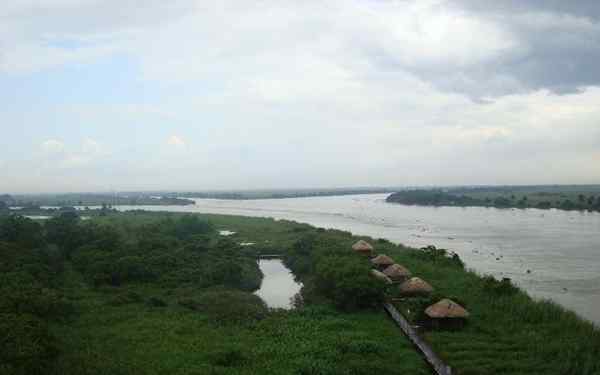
{"x":543,"y":197}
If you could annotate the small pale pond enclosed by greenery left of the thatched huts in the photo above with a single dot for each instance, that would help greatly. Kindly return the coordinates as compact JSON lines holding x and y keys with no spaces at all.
{"x":278,"y":285}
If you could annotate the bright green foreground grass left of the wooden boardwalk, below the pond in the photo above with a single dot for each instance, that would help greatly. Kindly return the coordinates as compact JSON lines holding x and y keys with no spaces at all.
{"x":136,"y":338}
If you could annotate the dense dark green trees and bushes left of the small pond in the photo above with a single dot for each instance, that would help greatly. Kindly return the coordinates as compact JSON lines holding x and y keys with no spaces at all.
{"x":178,"y":251}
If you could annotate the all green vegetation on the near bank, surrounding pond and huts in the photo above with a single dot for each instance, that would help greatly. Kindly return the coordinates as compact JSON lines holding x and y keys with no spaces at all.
{"x":154,"y":293}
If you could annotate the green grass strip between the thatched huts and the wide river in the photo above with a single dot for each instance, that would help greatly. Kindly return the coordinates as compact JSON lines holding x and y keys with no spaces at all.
{"x":507,"y":333}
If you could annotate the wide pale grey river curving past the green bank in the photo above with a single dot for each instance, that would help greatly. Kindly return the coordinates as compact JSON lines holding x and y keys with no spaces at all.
{"x":550,"y":253}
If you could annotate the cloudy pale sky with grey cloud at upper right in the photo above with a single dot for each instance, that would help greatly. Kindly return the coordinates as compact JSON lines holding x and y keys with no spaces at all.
{"x":105,"y":95}
